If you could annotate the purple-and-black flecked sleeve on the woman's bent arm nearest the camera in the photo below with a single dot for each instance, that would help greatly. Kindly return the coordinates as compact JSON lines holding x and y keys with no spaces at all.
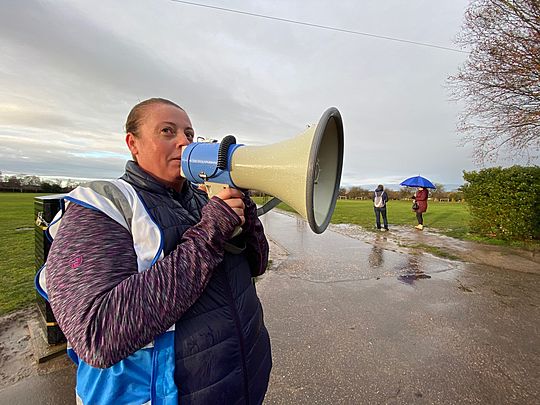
{"x":104,"y":306}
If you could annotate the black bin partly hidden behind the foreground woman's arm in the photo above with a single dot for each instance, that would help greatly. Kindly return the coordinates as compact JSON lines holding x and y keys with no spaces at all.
{"x":45,"y":208}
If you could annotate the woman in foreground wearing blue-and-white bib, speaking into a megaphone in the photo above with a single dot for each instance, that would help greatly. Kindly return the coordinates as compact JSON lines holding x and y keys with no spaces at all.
{"x":142,"y":282}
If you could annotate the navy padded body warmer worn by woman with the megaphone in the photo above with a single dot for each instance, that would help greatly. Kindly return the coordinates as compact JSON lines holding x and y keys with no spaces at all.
{"x":222,"y":346}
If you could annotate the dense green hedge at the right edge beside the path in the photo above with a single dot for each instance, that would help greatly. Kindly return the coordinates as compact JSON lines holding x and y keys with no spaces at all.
{"x":504,"y":203}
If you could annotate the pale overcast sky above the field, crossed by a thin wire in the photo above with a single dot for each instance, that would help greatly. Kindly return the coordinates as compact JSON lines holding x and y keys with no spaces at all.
{"x":70,"y":71}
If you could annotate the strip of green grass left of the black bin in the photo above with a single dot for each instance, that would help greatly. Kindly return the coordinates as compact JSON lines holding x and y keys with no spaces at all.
{"x":16,"y":251}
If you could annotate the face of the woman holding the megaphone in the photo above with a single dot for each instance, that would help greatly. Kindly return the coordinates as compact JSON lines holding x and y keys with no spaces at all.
{"x":163,"y":131}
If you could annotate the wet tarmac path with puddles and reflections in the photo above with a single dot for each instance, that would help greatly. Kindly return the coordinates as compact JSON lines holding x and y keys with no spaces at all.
{"x":353,"y":323}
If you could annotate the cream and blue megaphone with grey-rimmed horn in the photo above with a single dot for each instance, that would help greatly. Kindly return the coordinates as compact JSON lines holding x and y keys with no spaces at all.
{"x":304,"y":172}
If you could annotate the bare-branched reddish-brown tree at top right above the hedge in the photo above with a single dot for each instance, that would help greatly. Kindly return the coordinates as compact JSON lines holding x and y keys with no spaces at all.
{"x":500,"y":81}
